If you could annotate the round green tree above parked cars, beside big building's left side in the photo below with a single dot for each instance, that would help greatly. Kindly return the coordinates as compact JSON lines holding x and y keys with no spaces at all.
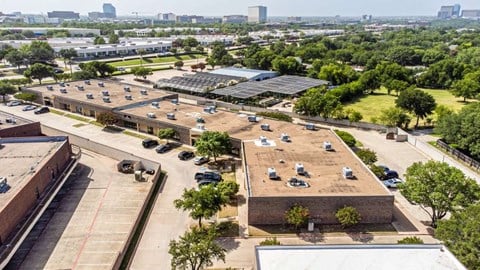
{"x":213,"y":143}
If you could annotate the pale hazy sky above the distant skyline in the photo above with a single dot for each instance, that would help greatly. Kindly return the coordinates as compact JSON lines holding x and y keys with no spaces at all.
{"x":229,"y":7}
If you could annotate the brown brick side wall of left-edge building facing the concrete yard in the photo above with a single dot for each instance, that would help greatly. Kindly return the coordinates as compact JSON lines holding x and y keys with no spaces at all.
{"x":26,"y":198}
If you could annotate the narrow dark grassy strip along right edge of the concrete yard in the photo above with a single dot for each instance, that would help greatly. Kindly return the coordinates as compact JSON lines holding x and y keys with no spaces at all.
{"x":143,"y":220}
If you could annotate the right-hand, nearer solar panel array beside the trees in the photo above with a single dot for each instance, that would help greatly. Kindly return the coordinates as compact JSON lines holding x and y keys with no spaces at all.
{"x":286,"y":85}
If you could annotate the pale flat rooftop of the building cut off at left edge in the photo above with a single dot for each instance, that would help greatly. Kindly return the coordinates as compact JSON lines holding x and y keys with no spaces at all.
{"x":18,"y":158}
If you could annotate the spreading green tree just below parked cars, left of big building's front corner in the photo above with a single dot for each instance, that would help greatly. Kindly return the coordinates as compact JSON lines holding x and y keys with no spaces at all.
{"x":202,"y":203}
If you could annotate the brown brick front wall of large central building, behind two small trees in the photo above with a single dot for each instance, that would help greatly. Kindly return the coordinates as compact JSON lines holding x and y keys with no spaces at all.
{"x":271,"y":210}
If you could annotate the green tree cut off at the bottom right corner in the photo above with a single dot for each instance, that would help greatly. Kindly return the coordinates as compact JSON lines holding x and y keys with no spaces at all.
{"x":461,"y":235}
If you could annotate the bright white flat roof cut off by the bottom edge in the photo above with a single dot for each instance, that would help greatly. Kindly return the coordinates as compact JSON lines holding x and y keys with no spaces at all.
{"x":358,"y":257}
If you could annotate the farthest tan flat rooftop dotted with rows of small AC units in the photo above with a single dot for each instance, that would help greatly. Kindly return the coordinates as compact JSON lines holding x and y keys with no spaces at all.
{"x":116,"y":93}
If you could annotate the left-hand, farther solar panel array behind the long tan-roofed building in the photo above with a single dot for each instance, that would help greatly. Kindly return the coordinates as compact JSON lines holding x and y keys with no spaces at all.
{"x":199,"y":82}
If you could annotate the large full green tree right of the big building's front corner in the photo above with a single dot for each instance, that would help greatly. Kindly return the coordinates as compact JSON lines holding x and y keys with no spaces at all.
{"x":438,"y":188}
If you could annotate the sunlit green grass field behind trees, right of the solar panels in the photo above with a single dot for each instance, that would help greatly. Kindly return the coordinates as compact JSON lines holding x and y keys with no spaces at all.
{"x":371,"y":105}
